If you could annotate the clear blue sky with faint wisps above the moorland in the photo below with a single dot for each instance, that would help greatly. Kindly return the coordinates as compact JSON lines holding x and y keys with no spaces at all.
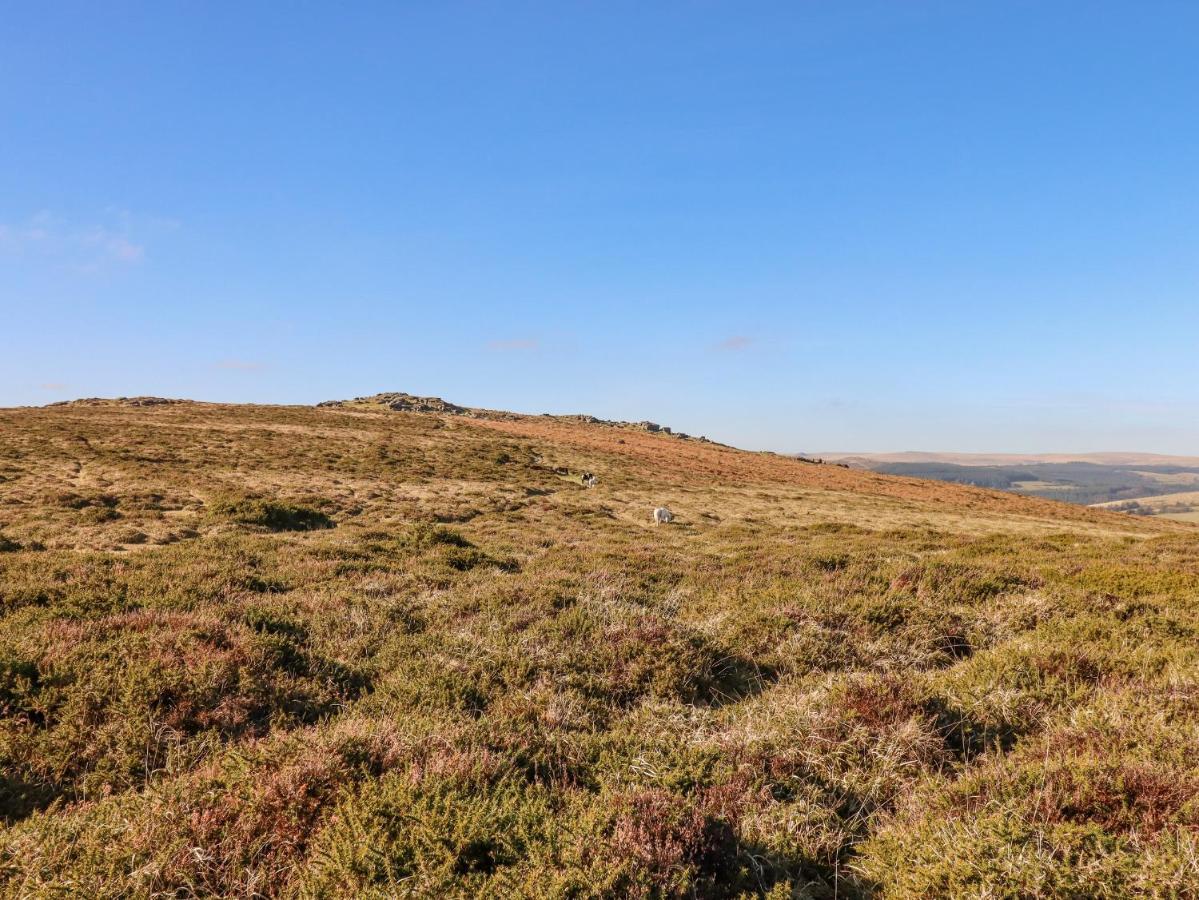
{"x":791,"y":226}
